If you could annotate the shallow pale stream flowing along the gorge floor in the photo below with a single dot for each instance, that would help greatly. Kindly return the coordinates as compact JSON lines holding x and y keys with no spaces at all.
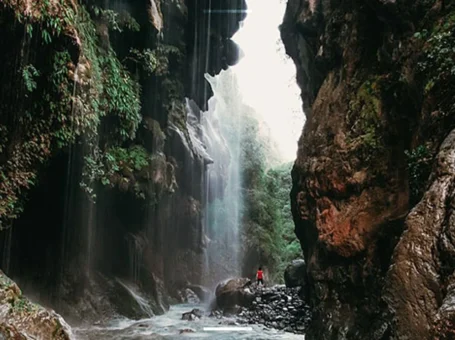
{"x":169,"y":326}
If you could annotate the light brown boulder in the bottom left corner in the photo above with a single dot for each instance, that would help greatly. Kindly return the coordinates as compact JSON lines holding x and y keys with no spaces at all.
{"x":22,"y":319}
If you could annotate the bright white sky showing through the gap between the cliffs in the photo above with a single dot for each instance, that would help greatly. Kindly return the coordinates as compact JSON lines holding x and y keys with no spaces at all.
{"x":266,"y":75}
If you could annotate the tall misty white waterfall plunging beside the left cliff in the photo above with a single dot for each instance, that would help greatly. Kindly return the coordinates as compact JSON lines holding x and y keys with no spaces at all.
{"x":222,"y":136}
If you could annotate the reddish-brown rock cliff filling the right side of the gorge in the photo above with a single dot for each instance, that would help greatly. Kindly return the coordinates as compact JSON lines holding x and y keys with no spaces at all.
{"x":376,"y":78}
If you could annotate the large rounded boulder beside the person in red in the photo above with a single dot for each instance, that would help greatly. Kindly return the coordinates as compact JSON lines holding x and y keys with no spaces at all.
{"x":234,"y":292}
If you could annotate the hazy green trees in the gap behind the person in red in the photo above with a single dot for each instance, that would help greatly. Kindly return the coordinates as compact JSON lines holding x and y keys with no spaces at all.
{"x":267,"y":224}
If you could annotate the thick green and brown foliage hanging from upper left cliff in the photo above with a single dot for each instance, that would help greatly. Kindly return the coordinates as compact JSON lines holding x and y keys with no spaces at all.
{"x":68,"y":99}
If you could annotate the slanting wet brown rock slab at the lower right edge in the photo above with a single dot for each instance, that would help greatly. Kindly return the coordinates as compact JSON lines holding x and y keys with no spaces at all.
{"x":420,"y":286}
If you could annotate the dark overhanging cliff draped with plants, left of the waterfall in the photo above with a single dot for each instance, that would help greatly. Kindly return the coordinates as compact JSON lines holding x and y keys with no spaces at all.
{"x":101,"y":182}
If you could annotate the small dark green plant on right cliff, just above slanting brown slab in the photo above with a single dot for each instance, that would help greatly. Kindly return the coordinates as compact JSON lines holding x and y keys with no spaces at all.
{"x":419,"y":168}
